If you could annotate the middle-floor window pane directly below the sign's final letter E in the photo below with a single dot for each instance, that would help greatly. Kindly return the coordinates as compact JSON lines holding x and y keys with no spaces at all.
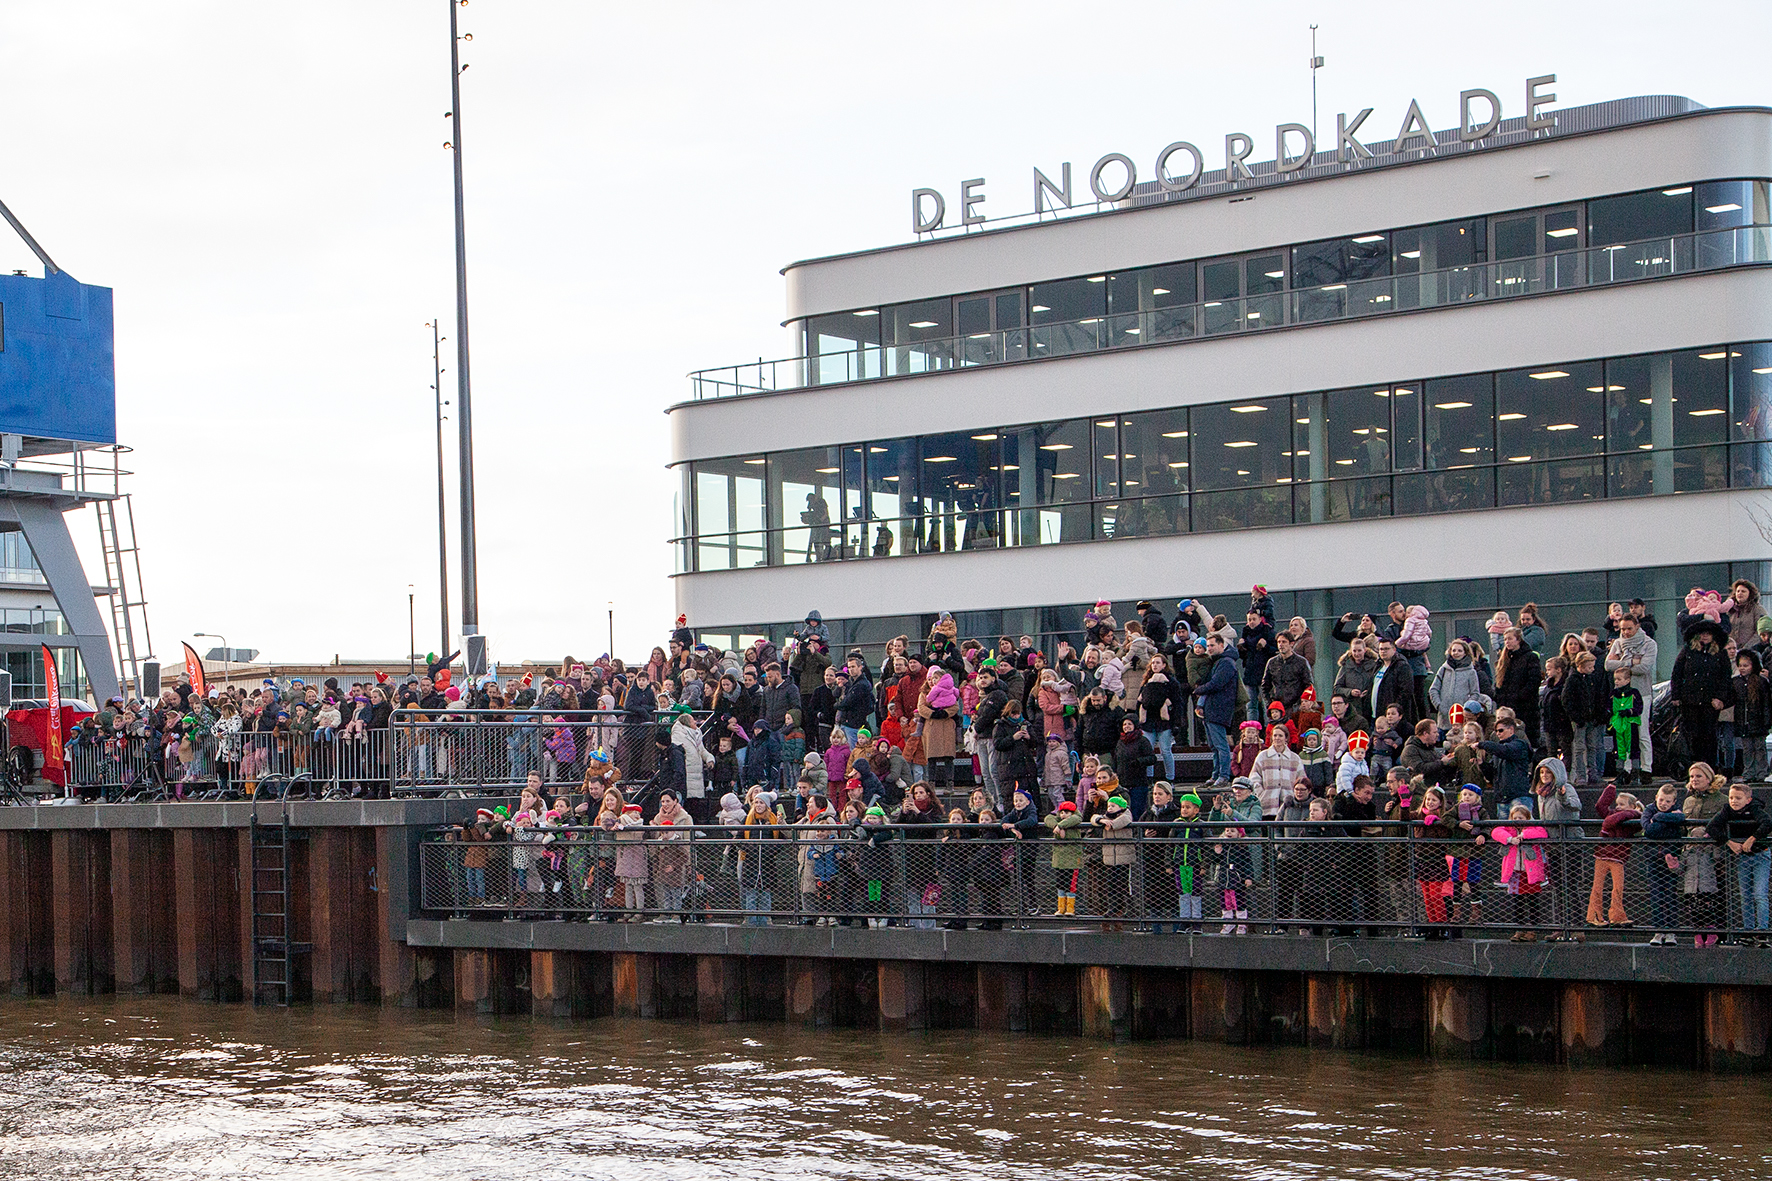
{"x":1550,"y":414}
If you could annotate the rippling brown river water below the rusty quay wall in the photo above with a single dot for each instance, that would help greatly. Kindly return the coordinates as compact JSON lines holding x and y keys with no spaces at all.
{"x":159,"y":1088}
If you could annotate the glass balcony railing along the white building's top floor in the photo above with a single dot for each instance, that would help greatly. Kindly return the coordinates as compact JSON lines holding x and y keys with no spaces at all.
{"x":1592,"y":267}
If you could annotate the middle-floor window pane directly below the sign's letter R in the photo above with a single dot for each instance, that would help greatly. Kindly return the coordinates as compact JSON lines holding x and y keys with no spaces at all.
{"x":1243,"y":448}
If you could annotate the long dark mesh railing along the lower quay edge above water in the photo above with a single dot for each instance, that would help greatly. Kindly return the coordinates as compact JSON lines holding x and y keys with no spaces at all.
{"x":1365,"y":880}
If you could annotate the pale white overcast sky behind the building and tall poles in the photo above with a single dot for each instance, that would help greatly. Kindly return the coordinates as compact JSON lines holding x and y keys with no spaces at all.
{"x":267,"y":191}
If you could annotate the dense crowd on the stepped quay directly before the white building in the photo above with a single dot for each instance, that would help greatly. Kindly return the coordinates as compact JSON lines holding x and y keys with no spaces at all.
{"x":1016,"y":774}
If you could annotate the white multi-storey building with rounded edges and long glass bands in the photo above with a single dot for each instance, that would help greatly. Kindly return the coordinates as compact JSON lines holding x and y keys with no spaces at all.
{"x":1535,"y":364}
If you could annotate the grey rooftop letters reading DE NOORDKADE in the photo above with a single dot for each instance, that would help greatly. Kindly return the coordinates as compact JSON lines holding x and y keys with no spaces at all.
{"x":1181,"y":166}
